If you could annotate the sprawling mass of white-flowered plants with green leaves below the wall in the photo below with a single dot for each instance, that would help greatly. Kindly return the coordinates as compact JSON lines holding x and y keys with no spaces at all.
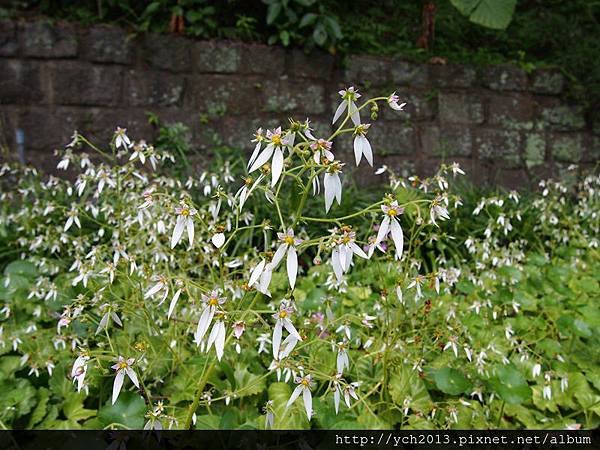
{"x":137,"y":299}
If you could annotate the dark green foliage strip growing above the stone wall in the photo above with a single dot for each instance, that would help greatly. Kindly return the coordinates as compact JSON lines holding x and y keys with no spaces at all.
{"x":539,"y":33}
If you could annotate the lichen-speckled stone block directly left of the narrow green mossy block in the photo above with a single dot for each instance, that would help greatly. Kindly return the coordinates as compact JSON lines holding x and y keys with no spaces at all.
{"x":499,"y":146}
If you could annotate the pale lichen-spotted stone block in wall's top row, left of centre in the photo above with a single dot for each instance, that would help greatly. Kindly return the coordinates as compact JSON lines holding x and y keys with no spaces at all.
{"x":216,"y":57}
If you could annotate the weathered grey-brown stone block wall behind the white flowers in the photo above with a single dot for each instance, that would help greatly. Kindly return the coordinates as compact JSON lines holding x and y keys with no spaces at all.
{"x":503,"y":125}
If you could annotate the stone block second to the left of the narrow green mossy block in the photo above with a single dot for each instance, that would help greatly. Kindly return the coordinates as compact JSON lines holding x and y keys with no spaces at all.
{"x":447,"y":141}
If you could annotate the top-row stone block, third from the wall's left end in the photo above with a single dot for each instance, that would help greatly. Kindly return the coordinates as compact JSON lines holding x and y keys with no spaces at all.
{"x":107,"y":44}
